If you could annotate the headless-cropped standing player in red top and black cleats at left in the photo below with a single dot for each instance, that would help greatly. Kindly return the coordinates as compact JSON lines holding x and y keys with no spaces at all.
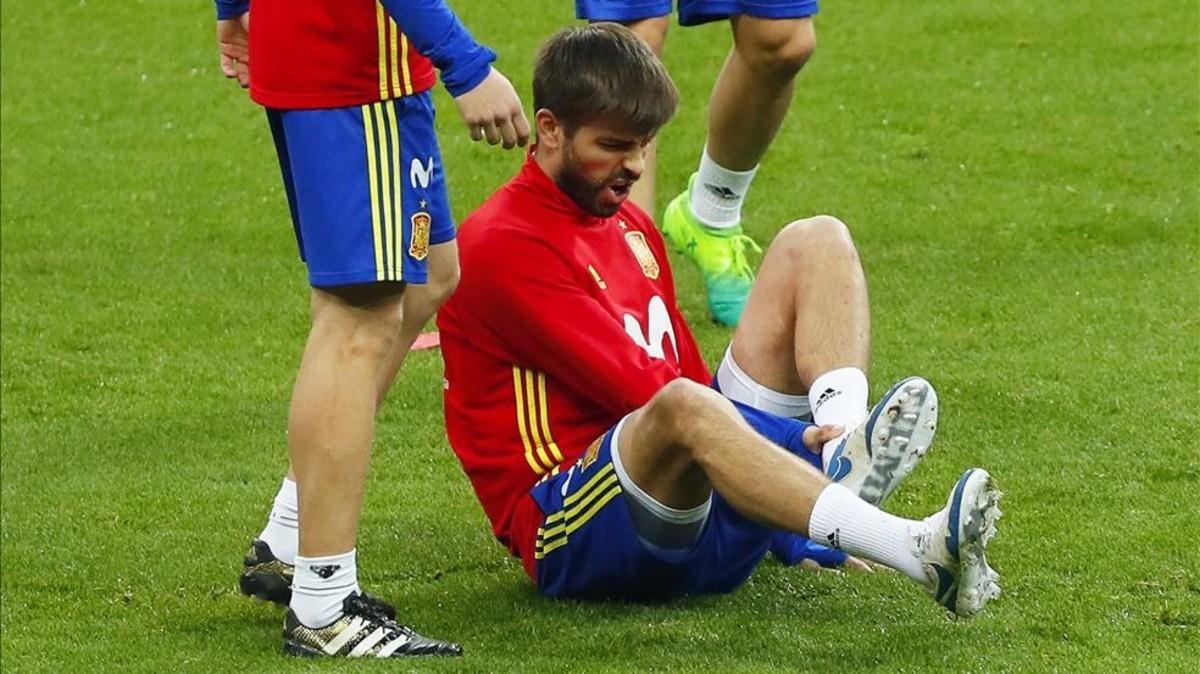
{"x":346,"y":89}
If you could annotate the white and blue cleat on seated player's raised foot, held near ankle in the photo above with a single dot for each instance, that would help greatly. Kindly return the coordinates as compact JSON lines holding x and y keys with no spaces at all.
{"x":875,"y":458}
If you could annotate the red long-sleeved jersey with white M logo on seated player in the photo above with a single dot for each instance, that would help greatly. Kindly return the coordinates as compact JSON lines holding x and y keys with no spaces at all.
{"x":562,"y":324}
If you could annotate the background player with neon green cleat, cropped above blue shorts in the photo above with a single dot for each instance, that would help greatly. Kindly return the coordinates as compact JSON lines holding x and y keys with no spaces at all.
{"x":772,"y":41}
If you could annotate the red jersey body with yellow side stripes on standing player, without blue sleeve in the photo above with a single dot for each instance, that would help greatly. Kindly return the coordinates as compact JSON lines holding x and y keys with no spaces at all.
{"x":331,"y":55}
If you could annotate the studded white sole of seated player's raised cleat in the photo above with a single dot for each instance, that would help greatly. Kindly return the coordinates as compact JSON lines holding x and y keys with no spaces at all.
{"x":899,"y":434}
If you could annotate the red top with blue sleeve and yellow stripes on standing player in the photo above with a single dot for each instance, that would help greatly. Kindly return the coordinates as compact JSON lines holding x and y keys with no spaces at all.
{"x":334,"y":55}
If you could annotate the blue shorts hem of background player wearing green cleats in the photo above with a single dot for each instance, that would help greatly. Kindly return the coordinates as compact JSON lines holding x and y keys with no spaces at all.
{"x":693,"y":13}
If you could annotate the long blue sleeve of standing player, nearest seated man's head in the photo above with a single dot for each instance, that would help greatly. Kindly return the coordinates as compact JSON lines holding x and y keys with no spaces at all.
{"x":440,"y":37}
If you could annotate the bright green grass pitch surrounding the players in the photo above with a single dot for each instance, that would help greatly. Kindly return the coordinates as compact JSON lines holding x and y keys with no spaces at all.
{"x":1021,"y":178}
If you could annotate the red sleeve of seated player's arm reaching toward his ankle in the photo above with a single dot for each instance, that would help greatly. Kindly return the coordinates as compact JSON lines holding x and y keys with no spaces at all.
{"x":538,"y":309}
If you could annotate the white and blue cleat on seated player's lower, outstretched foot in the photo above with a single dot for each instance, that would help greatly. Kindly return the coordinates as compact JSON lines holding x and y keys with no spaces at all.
{"x":952,"y":546}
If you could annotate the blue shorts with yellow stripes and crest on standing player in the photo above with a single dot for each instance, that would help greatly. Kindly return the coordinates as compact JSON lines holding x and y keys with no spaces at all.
{"x":367,"y":189}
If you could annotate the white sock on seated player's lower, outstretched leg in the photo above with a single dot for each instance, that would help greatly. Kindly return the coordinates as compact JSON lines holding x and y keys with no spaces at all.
{"x":843,"y":521}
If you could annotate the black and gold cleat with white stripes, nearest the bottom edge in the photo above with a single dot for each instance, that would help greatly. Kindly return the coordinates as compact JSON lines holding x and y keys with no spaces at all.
{"x":363,"y":631}
